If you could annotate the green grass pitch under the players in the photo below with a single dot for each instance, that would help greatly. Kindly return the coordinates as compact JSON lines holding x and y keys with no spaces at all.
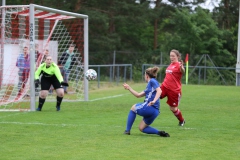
{"x":94,"y":130}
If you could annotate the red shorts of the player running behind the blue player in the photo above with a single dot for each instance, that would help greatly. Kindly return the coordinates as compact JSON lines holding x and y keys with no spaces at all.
{"x":173,"y":97}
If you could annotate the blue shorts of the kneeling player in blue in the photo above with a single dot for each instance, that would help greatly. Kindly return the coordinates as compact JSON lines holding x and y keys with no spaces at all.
{"x":148,"y":113}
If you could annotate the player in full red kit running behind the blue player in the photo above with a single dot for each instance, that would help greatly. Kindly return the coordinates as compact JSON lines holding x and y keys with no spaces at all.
{"x":171,"y":86}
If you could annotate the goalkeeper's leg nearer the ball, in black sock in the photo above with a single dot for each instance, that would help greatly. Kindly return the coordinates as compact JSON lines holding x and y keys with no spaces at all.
{"x":60,"y":93}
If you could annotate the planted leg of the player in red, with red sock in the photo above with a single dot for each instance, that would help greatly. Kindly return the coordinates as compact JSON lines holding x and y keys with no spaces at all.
{"x":173,"y":102}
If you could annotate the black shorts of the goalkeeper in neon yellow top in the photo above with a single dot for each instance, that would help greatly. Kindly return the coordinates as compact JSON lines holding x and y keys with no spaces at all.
{"x":46,"y":83}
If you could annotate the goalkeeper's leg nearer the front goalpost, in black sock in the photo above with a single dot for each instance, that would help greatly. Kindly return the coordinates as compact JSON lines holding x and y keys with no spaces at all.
{"x":45,"y":85}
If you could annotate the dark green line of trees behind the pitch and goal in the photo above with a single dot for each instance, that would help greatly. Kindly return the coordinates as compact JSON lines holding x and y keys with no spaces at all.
{"x":140,"y":33}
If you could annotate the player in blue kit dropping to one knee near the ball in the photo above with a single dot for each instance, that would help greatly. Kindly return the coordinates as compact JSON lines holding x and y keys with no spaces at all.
{"x":149,"y":109}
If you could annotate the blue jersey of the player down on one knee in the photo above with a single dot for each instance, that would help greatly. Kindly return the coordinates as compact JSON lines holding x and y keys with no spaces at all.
{"x":150,"y":92}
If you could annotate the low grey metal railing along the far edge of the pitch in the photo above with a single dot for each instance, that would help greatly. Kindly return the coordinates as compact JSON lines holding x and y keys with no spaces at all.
{"x":116,"y":73}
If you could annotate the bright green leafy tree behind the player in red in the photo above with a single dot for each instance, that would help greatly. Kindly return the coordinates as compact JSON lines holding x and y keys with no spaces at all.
{"x":194,"y":33}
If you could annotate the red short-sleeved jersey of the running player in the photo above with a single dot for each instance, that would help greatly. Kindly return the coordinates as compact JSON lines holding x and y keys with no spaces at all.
{"x":173,"y":77}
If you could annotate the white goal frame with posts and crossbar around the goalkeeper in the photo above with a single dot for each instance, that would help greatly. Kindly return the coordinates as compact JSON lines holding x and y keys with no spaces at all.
{"x":32,"y":8}
